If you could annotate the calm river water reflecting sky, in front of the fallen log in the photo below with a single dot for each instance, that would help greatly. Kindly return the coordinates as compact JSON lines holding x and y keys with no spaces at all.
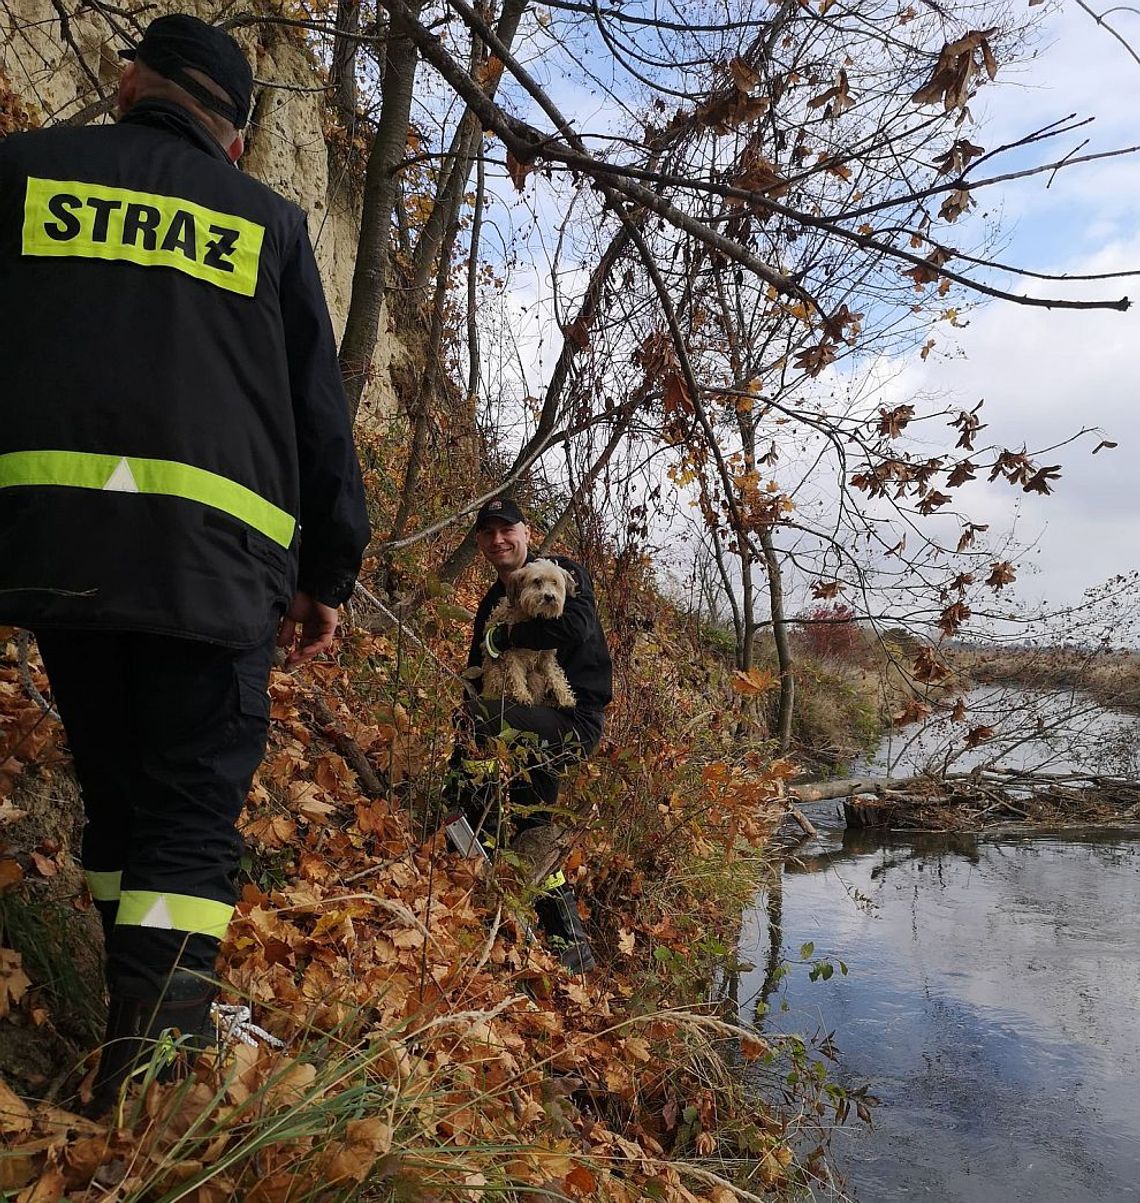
{"x":991,"y":1005}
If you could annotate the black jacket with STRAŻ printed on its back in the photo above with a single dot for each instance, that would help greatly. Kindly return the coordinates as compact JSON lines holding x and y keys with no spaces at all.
{"x":175,"y":442}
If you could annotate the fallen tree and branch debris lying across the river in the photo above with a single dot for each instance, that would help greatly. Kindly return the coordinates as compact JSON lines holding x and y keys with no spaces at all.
{"x":979,"y":799}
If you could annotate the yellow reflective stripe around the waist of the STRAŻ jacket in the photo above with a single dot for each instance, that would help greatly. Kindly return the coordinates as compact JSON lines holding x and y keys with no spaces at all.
{"x":87,"y":470}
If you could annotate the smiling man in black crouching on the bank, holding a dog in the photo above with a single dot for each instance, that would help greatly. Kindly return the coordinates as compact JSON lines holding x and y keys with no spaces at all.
{"x":565,"y":737}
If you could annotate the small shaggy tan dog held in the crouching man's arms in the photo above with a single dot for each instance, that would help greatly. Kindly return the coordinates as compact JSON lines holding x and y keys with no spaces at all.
{"x":532,"y":677}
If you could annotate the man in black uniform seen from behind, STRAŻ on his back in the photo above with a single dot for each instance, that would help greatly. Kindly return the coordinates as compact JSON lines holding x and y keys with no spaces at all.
{"x":179,"y":491}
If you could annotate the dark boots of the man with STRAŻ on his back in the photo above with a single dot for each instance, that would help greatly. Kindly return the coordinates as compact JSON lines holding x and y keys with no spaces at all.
{"x":139,"y":1020}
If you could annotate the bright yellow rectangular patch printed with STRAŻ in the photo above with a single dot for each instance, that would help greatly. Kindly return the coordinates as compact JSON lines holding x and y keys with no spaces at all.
{"x":67,"y":218}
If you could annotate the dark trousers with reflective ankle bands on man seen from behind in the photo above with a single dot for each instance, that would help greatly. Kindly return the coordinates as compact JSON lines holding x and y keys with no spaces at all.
{"x":167,"y":736}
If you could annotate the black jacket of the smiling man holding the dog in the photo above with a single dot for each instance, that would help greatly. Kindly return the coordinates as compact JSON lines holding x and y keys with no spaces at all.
{"x":577,"y":637}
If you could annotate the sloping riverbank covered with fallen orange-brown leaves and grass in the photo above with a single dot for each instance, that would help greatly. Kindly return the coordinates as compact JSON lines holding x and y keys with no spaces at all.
{"x":430,"y":1050}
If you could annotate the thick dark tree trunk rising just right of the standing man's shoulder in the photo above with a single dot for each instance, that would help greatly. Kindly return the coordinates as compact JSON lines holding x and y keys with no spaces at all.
{"x":382,"y":187}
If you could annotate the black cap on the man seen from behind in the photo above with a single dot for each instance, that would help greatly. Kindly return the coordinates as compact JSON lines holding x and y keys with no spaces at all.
{"x":179,"y":42}
